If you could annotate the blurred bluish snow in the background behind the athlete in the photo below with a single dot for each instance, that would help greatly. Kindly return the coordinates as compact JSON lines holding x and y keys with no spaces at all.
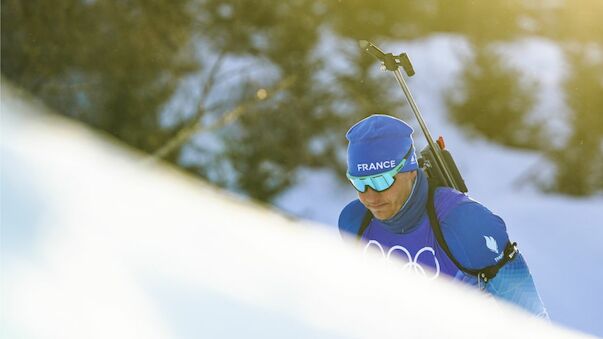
{"x":559,"y":236}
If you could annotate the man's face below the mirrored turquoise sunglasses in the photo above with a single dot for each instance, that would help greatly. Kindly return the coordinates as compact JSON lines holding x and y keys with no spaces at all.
{"x":385,"y":204}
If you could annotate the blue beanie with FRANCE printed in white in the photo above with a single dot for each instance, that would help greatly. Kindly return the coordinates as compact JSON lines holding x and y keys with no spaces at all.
{"x":379,"y":143}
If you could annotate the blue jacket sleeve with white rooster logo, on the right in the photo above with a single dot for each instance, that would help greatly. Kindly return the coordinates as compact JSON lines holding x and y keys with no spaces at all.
{"x":477,"y":238}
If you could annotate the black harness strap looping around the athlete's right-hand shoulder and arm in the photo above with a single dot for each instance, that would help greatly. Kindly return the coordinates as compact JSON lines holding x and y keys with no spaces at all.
{"x":485,"y":273}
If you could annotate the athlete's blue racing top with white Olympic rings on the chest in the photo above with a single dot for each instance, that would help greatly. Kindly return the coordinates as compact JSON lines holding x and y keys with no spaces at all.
{"x":475,"y":236}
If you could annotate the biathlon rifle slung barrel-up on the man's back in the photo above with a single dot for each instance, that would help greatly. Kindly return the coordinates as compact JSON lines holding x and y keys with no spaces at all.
{"x":393,"y":63}
